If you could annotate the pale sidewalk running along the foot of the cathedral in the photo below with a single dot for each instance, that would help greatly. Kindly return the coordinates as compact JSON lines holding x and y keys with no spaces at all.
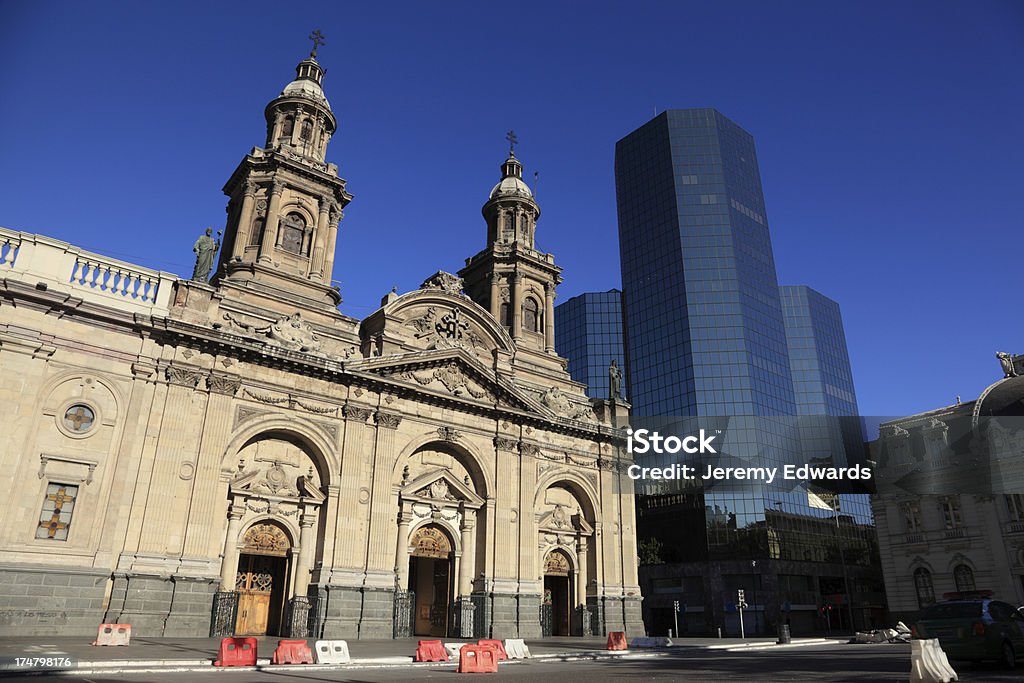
{"x":184,"y":655}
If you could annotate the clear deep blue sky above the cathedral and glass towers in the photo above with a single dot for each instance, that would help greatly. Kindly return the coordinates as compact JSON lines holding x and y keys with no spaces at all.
{"x":890,"y":137}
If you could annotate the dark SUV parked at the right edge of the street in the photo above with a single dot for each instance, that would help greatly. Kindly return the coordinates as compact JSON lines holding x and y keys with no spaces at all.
{"x":975,"y":629}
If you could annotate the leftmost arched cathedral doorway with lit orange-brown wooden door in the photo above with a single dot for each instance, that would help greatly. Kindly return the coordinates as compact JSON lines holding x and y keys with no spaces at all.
{"x":263,"y":580}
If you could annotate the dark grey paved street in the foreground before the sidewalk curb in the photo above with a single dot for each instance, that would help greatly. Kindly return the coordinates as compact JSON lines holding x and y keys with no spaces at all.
{"x":830,"y":662}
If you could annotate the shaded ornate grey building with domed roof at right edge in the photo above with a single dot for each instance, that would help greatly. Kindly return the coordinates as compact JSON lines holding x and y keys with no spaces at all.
{"x":950,"y":506}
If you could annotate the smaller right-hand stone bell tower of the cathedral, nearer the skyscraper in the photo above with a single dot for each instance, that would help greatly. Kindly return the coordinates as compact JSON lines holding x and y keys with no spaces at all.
{"x":510,"y":278}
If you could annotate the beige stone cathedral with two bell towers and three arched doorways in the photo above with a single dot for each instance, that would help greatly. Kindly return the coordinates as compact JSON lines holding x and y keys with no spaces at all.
{"x":239,"y":457}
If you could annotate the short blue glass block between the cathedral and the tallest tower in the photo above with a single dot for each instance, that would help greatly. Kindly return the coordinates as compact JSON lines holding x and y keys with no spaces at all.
{"x":589,"y":334}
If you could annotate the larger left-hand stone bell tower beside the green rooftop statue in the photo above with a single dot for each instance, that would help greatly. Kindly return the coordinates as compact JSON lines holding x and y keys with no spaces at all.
{"x":286,"y":202}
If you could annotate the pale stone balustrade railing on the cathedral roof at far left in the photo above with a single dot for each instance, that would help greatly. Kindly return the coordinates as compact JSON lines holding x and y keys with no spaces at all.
{"x":36,"y":260}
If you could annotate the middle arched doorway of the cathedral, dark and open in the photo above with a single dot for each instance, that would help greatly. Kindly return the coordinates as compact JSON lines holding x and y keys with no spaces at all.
{"x":432,"y":579}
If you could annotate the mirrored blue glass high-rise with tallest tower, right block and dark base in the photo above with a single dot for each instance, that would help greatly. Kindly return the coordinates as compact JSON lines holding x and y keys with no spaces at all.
{"x":707,"y":338}
